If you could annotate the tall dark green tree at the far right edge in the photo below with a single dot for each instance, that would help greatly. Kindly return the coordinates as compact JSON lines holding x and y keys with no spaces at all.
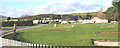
{"x":113,"y":13}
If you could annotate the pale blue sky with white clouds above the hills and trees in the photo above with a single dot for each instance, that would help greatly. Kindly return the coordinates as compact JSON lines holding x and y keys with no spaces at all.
{"x":16,"y":8}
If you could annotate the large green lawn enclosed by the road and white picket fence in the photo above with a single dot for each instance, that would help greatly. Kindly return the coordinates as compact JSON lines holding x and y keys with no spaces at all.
{"x":66,"y":35}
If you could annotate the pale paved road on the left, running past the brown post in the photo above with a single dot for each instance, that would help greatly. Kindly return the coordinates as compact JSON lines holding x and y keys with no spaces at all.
{"x":6,"y":32}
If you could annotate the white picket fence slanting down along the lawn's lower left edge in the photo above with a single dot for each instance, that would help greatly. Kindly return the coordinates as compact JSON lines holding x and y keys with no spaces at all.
{"x":7,"y":43}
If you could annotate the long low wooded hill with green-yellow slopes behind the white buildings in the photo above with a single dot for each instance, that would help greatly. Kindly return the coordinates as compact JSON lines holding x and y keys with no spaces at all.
{"x":39,"y":16}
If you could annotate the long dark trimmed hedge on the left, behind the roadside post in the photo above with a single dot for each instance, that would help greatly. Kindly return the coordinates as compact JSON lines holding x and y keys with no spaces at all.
{"x":19,"y":23}
